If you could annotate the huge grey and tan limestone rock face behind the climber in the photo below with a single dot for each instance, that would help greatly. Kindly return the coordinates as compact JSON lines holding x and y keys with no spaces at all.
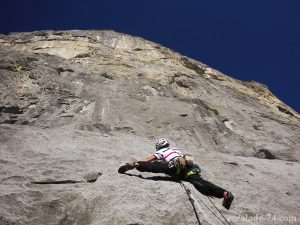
{"x":75,"y":105}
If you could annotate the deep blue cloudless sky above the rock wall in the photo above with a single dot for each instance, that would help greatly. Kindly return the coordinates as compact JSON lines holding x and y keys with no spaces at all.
{"x":249,"y":40}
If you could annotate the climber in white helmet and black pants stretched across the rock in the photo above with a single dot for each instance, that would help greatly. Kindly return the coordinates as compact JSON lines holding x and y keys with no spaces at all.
{"x":171,"y":161}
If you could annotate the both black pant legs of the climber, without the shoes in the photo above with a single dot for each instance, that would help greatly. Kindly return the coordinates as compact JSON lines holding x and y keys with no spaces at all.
{"x":203,"y":186}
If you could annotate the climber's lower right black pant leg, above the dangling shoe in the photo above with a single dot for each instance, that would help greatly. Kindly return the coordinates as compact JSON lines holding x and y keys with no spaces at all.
{"x":205,"y":187}
